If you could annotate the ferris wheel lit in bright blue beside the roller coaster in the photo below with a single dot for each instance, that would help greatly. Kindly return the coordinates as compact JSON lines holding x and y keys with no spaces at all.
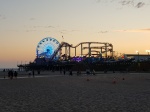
{"x":46,"y":47}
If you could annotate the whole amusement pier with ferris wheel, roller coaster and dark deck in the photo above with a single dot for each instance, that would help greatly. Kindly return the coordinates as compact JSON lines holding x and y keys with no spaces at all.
{"x":52,"y":55}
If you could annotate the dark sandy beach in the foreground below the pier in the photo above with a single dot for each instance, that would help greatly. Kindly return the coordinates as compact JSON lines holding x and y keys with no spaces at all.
{"x":55,"y":92}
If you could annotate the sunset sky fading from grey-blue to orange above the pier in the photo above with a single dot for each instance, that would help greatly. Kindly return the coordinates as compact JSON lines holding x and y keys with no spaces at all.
{"x":23,"y":23}
